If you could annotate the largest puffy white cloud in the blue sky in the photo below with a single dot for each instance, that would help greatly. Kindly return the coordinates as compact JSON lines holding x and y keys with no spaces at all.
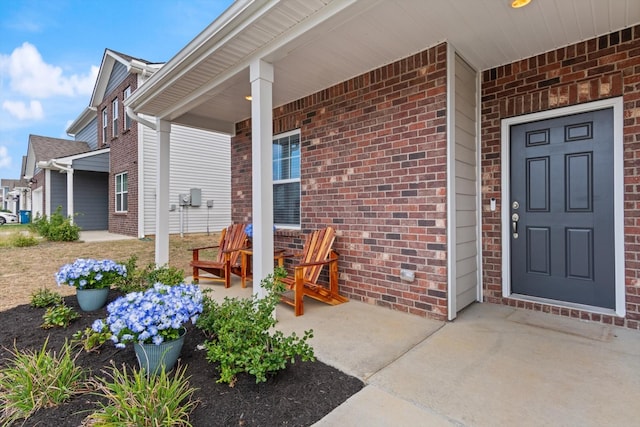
{"x":31,"y":76}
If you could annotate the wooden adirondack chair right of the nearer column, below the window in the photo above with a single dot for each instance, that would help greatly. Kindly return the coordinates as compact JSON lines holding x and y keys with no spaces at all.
{"x":317,"y":253}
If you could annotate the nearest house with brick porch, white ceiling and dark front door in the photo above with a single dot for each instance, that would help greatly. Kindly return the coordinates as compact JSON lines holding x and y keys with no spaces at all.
{"x":476,"y":153}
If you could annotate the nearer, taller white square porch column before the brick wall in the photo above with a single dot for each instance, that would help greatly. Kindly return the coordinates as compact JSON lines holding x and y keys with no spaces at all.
{"x":261,"y":77}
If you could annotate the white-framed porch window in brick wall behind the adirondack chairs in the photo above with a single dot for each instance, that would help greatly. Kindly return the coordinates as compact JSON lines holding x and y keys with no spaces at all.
{"x":286,"y":180}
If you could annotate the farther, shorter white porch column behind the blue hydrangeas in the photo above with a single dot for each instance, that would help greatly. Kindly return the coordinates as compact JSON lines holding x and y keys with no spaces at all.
{"x":163,"y":131}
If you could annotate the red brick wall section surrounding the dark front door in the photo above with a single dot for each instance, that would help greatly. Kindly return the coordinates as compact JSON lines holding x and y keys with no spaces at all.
{"x":608,"y":66}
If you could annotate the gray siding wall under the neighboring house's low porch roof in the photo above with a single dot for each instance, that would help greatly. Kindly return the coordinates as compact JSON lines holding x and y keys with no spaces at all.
{"x":91,"y":199}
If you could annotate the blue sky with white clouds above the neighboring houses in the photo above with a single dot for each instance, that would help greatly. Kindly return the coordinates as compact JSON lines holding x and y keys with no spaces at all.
{"x":50,"y":51}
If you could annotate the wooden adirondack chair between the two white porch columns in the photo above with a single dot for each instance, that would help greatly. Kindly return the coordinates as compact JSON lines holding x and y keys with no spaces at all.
{"x":232,"y":239}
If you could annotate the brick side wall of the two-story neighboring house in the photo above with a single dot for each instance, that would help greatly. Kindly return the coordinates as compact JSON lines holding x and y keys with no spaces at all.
{"x":123,"y":158}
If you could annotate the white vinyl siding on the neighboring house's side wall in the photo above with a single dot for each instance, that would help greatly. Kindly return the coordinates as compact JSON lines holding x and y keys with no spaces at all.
{"x":199,"y":159}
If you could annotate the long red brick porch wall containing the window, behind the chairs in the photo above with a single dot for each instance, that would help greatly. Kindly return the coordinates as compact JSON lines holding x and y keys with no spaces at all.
{"x":373,"y":167}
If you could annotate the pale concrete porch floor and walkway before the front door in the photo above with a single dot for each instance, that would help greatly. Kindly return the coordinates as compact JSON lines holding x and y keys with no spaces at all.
{"x":492,"y":366}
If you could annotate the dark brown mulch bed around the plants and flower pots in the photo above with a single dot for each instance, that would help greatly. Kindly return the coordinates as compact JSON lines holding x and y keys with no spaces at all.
{"x":298,"y":396}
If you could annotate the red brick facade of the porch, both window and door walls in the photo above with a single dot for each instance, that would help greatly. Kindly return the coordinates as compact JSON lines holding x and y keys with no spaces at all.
{"x":374,"y":166}
